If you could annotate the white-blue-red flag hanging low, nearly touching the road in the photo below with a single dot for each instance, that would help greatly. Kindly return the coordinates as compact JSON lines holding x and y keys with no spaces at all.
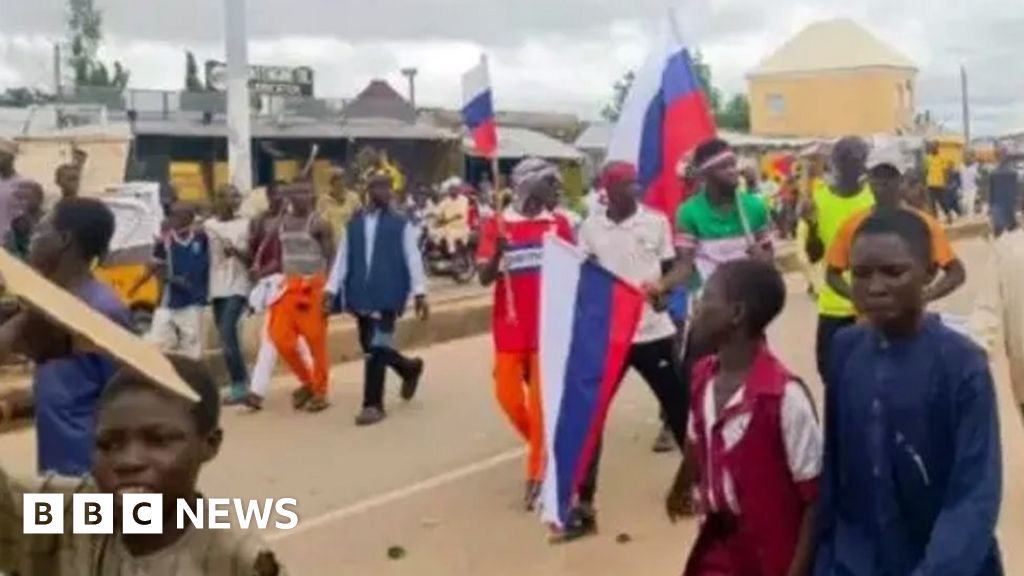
{"x":588,"y":320}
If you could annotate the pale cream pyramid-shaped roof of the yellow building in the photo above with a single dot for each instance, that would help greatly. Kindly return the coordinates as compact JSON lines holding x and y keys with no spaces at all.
{"x":832,"y":46}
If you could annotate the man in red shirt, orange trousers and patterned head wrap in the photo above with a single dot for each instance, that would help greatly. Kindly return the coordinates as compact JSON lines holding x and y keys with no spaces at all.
{"x":509,"y":258}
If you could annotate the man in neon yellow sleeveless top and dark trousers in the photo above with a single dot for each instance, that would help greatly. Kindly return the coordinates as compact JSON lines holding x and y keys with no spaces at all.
{"x":831,"y":205}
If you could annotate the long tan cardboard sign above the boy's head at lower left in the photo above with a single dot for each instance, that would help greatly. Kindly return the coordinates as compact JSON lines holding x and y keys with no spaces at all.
{"x":76,"y":317}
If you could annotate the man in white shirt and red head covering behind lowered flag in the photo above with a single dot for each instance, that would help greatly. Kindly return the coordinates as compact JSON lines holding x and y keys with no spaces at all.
{"x":635,"y":243}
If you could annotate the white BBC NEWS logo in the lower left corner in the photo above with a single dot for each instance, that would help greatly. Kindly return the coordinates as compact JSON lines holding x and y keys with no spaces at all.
{"x":144,"y":514}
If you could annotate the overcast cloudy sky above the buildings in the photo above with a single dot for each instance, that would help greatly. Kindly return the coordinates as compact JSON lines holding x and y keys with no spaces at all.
{"x":546,"y":55}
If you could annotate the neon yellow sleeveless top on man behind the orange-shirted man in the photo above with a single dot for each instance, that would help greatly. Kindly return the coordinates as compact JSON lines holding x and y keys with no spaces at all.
{"x":833,"y":212}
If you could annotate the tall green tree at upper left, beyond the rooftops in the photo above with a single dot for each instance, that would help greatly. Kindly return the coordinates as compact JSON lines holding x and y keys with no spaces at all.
{"x":86,"y":25}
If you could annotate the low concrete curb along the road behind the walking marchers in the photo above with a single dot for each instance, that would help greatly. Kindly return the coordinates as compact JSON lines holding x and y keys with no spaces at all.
{"x":459,"y":318}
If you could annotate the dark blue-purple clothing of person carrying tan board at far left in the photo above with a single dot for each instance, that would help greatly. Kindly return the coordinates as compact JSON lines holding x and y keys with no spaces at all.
{"x":67,"y":391}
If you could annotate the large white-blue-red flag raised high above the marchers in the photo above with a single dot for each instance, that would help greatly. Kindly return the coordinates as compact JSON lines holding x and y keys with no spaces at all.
{"x":665,"y":117}
